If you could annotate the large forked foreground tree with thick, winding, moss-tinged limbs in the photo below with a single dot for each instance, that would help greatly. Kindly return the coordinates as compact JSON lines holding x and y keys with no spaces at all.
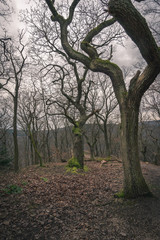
{"x":129,"y":99}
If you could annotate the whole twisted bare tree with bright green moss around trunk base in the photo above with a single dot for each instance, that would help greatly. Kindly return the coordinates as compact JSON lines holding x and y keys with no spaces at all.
{"x":71,"y":101}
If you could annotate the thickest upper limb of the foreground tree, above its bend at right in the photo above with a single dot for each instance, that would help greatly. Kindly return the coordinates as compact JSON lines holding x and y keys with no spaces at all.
{"x":136,"y":28}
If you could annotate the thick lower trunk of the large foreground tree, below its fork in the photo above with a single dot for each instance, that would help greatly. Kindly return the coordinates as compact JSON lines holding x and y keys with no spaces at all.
{"x":134,"y":182}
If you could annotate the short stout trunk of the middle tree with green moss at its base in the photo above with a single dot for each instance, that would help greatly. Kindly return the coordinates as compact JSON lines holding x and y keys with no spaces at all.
{"x":78,"y":149}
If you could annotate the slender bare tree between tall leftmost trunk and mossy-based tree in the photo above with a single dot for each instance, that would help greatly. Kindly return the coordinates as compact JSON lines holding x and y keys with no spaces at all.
{"x":31,"y":117}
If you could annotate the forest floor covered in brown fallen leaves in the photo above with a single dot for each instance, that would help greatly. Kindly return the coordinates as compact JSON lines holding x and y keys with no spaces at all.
{"x":64,"y":206}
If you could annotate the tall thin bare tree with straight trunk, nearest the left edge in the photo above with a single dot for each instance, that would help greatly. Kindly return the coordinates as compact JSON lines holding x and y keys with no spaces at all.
{"x":13,"y":74}
